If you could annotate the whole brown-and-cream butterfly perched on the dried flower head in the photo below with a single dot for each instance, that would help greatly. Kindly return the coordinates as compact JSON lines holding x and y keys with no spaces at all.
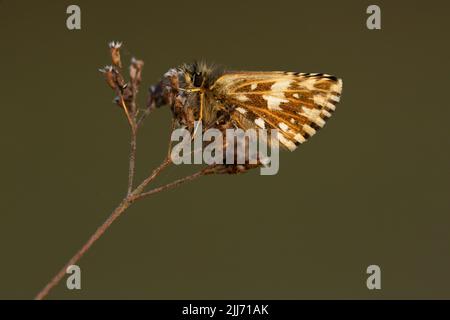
{"x":297,"y":104}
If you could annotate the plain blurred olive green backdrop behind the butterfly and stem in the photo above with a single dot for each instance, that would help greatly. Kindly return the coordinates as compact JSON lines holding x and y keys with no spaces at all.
{"x":371,"y":188}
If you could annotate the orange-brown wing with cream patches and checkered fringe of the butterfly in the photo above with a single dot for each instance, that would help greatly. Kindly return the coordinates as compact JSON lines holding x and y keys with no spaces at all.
{"x":298,"y":104}
